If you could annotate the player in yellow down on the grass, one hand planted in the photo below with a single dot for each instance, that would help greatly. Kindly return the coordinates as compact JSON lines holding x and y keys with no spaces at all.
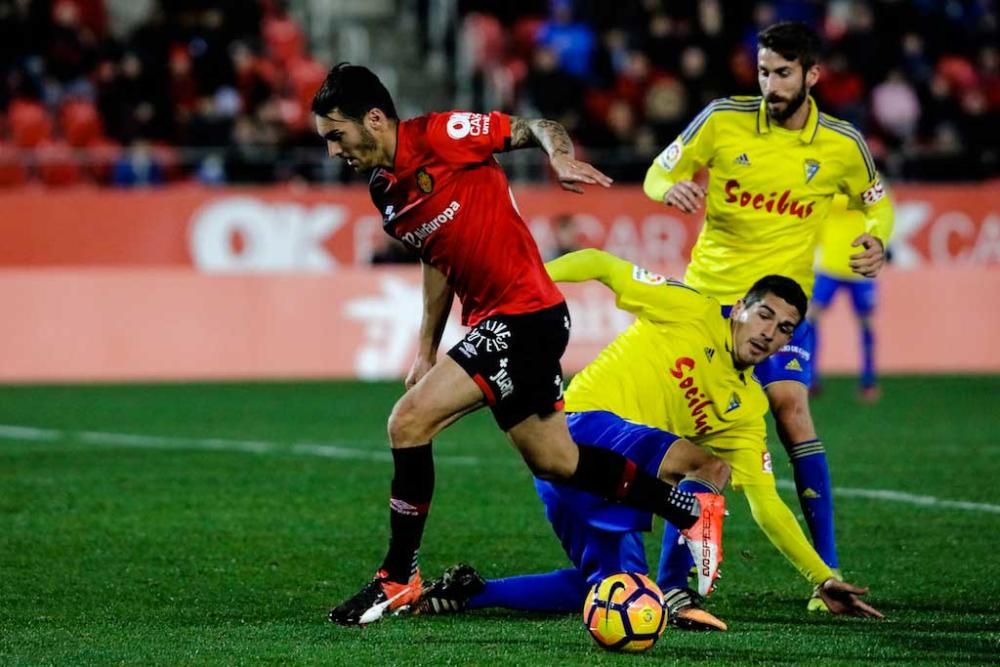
{"x":675,"y":394}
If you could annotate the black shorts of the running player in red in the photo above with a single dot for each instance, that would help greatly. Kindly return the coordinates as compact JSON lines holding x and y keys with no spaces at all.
{"x":515,"y":361}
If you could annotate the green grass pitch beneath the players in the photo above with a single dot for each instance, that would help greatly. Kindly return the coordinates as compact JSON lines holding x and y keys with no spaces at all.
{"x":217,"y":523}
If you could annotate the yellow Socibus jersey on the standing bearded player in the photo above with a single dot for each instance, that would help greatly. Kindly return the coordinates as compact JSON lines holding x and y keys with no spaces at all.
{"x":769,"y":189}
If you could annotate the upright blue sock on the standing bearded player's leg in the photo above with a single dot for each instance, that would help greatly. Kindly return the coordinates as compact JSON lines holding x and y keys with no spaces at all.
{"x":812,"y":482}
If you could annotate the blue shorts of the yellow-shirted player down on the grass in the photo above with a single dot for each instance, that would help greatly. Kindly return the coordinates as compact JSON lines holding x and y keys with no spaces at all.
{"x":600,"y":537}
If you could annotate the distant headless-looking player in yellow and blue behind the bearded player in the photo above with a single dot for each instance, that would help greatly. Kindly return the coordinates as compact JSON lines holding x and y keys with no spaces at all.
{"x":834,"y":274}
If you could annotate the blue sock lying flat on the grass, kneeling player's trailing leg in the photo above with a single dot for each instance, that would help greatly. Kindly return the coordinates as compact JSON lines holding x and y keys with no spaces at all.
{"x":558,"y":591}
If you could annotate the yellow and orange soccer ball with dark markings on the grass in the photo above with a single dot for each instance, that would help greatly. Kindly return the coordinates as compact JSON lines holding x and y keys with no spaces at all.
{"x":625,"y":612}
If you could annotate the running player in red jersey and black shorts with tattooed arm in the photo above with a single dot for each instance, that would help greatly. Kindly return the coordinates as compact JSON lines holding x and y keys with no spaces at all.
{"x":441,"y":191}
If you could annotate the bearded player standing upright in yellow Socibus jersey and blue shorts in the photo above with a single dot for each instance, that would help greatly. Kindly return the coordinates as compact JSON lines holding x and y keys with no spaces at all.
{"x":775,"y":163}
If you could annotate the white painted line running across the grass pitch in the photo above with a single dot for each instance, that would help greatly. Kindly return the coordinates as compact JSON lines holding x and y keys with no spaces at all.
{"x":326,"y":450}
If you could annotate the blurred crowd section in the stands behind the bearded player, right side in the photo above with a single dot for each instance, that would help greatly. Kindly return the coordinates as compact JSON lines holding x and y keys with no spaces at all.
{"x":921,"y":78}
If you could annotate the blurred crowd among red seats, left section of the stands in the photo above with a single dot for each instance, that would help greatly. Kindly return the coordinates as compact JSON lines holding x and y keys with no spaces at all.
{"x":216,"y":90}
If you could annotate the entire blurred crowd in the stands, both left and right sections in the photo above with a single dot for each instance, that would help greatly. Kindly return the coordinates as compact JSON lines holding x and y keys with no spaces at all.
{"x":146,"y":91}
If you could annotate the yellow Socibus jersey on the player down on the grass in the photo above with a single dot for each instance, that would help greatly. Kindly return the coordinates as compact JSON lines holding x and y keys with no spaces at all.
{"x":672,"y":368}
